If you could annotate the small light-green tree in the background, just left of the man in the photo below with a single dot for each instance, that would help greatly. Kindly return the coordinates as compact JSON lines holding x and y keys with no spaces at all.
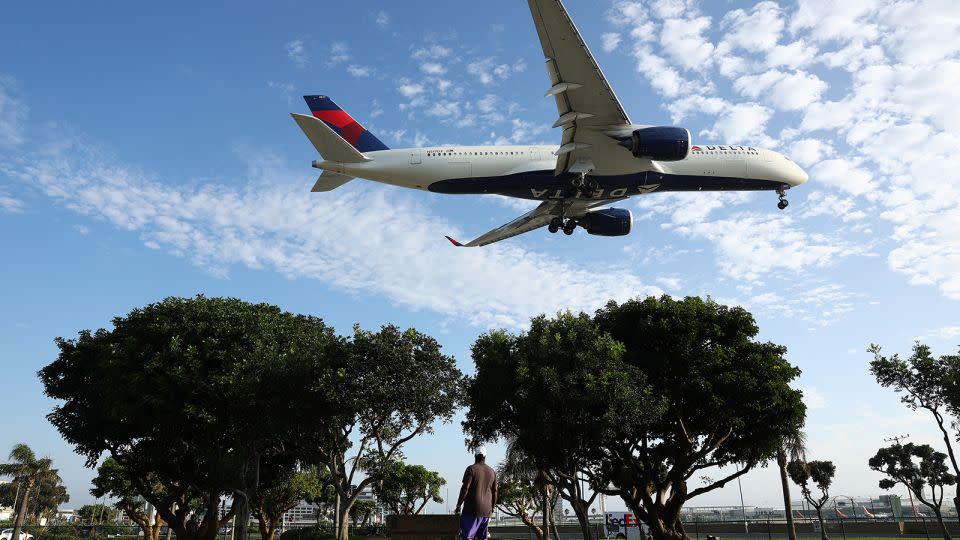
{"x":407,"y":489}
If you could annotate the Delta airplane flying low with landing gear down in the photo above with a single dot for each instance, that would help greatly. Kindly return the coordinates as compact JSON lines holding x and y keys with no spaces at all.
{"x":602,"y":158}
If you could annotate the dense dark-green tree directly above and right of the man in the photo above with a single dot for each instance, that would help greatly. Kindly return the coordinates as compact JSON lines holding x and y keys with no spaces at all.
{"x":559,"y":392}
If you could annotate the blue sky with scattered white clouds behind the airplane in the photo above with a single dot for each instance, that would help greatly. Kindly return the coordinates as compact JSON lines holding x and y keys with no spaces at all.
{"x":147,"y":151}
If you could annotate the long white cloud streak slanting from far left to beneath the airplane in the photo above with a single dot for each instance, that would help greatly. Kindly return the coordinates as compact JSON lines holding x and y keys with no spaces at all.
{"x":366,"y":230}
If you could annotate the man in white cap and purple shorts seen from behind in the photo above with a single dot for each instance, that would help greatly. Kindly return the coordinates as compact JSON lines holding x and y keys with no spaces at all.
{"x":478,"y":496}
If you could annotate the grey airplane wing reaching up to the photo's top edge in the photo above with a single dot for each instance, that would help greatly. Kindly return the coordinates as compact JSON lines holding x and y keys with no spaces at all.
{"x":586,"y":105}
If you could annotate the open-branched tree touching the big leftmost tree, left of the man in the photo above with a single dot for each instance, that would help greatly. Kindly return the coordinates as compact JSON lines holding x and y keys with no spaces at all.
{"x":392,"y":386}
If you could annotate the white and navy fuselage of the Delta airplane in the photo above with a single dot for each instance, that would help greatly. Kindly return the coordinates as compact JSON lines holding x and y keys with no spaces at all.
{"x":527,"y":171}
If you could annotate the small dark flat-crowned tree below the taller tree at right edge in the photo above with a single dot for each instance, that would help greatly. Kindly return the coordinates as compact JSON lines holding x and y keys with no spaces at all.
{"x":898,"y":463}
